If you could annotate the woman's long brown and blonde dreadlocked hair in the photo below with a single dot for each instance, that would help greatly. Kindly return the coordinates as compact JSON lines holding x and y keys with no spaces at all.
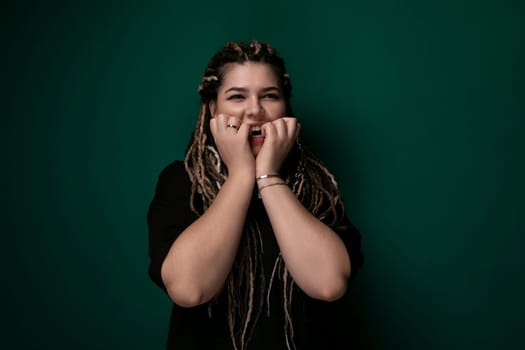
{"x":307,"y":176}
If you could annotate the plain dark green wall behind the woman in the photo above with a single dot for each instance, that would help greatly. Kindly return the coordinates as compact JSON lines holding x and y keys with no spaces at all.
{"x":416,"y":105}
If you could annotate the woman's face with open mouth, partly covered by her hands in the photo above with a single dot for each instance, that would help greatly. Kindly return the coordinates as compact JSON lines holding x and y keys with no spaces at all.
{"x":251,"y":93}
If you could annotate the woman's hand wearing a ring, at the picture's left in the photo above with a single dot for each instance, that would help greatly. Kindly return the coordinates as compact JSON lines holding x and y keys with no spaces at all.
{"x":233,"y":144}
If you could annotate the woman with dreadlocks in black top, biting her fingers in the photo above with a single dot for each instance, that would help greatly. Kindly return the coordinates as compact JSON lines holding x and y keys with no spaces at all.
{"x":248,"y":236}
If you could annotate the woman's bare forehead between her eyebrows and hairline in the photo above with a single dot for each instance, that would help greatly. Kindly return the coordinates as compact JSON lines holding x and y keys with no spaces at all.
{"x":249,"y":74}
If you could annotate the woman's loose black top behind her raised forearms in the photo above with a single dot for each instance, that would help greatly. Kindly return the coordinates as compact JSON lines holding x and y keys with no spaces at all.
{"x":317,"y":324}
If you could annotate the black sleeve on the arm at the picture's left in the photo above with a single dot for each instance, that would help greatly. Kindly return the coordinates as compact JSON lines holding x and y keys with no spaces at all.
{"x":168,"y":215}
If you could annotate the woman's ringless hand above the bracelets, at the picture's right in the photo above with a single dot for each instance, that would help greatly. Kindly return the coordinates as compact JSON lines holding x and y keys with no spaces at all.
{"x":279,"y":138}
